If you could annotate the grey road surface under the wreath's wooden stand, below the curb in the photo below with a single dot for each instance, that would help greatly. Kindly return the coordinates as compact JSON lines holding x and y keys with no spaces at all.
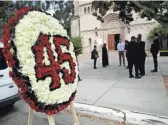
{"x":18,"y":115}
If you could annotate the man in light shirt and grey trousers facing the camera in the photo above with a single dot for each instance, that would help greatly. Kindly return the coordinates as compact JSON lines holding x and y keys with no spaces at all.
{"x":121,"y":51}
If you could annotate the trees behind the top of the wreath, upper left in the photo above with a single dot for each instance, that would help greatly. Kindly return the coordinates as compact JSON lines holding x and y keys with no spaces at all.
{"x":62,"y":10}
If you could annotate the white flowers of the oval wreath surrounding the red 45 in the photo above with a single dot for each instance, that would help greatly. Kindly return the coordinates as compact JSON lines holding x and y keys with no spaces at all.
{"x":26,"y":34}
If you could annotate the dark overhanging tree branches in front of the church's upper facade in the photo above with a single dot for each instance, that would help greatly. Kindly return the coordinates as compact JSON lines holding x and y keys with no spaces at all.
{"x":157,"y":10}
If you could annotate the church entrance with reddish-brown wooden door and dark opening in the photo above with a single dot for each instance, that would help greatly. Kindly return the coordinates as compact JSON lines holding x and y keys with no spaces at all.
{"x":113,"y":40}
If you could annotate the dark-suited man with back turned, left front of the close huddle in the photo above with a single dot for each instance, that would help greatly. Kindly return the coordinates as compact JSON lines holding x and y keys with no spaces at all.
{"x":132,"y":57}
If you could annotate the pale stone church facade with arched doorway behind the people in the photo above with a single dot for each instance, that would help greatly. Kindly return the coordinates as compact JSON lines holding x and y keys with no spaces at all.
{"x":93,"y":32}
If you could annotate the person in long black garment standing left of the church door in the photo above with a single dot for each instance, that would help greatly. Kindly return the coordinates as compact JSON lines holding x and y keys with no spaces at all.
{"x":105,"y":61}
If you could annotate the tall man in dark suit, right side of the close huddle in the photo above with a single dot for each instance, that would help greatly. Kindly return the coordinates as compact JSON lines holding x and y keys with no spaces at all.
{"x":141,"y":54}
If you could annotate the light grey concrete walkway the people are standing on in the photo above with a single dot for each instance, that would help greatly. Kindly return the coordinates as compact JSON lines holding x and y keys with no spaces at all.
{"x":110,"y":87}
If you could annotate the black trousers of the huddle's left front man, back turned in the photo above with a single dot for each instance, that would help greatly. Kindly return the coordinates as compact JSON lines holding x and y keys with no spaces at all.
{"x":130,"y":66}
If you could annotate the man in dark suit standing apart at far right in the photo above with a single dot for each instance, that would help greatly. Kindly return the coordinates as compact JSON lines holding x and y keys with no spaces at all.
{"x":154,"y":50}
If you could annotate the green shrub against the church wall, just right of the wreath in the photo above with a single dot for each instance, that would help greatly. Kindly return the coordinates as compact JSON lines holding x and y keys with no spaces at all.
{"x":77,"y":42}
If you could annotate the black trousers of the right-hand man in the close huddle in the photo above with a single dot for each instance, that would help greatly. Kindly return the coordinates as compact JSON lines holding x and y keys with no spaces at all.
{"x":141,"y":65}
